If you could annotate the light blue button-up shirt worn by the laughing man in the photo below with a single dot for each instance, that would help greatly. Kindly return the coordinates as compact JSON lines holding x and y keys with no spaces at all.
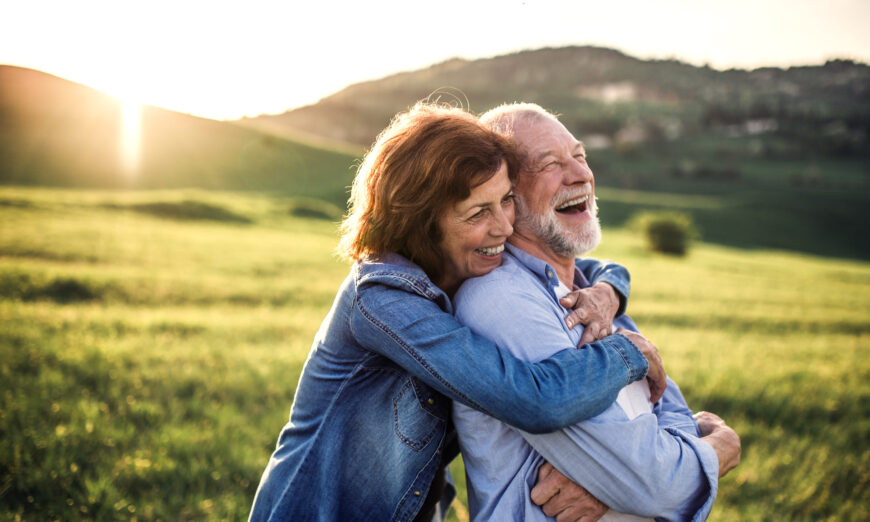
{"x":648,"y":464}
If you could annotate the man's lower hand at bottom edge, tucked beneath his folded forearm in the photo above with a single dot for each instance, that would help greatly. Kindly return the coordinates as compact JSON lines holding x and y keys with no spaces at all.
{"x":563,"y":499}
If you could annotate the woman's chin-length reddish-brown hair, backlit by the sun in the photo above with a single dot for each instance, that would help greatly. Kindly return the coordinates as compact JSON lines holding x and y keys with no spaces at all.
{"x":426,"y":159}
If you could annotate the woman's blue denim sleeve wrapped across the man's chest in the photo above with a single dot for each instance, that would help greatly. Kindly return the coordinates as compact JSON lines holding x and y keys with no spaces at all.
{"x":572,"y":385}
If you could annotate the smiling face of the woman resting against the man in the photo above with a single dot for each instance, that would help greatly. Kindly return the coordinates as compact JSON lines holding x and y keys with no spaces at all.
{"x":475,"y":229}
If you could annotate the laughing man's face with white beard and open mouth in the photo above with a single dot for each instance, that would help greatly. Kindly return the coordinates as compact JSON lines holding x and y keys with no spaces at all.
{"x":555,"y":190}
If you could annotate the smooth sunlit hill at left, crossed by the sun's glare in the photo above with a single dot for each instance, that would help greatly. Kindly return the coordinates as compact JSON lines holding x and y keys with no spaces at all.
{"x":58,"y":133}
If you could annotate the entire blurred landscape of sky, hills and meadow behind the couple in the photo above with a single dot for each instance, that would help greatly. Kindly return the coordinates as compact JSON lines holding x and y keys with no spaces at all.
{"x":172,"y":176}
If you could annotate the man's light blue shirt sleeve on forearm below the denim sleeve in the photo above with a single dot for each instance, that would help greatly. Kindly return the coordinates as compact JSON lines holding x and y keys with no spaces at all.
{"x":635,"y":466}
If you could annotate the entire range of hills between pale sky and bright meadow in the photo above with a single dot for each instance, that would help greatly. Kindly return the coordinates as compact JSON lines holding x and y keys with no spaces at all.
{"x":762,"y":159}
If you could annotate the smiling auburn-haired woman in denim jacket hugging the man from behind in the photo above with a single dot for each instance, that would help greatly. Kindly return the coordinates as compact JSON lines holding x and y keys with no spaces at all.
{"x":369,"y":434}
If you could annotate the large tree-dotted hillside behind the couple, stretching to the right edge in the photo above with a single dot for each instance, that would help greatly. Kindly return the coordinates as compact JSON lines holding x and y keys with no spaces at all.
{"x":769,"y":158}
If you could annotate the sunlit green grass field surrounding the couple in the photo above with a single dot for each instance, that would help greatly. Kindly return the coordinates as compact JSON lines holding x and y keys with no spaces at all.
{"x":150,"y":345}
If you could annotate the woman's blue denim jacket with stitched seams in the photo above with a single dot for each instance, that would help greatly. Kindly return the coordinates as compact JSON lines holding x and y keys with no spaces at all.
{"x":370,"y":425}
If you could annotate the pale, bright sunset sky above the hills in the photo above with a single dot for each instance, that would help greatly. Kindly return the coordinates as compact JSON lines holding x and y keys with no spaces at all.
{"x":225,"y":60}
